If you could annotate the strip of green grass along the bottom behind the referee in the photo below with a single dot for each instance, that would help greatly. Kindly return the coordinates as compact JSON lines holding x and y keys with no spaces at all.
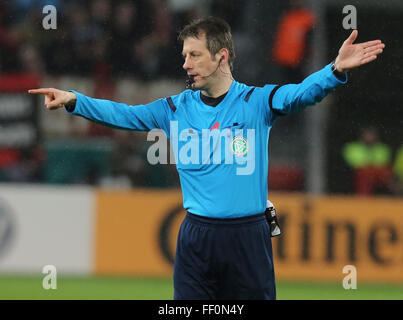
{"x":99,"y":288}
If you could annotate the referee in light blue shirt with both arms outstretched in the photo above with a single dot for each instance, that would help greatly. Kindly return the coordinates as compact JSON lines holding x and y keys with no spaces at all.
{"x":224,"y":248}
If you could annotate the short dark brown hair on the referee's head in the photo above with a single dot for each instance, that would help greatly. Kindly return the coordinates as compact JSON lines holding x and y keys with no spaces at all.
{"x":218,"y":35}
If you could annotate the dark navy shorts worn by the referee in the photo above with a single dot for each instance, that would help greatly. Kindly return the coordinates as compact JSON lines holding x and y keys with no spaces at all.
{"x":224,"y":259}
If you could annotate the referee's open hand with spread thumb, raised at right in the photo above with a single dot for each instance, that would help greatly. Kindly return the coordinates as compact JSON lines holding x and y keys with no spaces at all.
{"x":354,"y":55}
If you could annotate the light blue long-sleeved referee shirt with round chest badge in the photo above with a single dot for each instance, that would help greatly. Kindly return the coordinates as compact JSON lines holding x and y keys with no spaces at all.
{"x":221,"y":152}
